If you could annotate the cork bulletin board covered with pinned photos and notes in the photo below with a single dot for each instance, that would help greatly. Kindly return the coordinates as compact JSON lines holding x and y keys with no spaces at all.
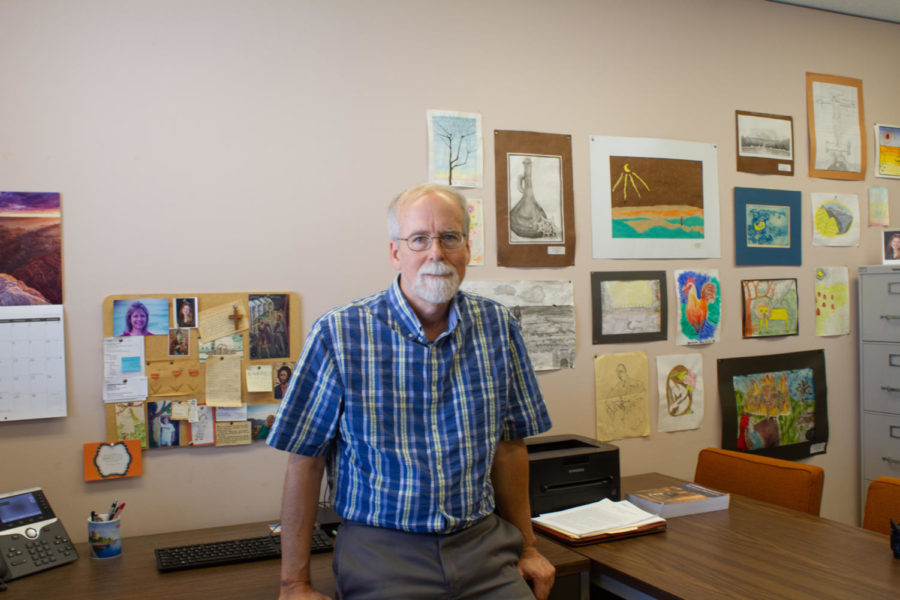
{"x":257,"y":333}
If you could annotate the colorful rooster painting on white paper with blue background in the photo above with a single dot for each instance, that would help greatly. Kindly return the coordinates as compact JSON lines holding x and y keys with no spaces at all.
{"x":699,"y":303}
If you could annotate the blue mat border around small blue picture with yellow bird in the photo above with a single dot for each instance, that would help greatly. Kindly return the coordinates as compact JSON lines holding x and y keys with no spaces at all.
{"x":747,"y":255}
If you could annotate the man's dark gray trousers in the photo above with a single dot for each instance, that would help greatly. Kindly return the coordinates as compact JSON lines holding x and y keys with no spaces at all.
{"x":372,"y":563}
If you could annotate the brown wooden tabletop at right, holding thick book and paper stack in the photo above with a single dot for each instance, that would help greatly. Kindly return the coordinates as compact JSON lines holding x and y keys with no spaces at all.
{"x":752,"y":550}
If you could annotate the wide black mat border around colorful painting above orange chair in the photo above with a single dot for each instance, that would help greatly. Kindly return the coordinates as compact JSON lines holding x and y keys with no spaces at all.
{"x":727,"y":368}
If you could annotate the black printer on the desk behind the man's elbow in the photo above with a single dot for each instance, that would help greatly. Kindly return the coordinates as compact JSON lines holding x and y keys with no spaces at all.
{"x":570,"y":470}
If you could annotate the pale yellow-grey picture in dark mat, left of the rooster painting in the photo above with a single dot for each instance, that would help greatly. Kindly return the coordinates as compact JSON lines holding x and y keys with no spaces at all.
{"x":629,"y":306}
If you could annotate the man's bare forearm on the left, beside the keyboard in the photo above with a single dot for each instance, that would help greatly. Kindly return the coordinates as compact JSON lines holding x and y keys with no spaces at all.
{"x":298,"y":517}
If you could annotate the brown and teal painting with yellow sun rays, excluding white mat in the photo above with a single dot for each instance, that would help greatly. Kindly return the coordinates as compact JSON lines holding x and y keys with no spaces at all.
{"x":656,"y":197}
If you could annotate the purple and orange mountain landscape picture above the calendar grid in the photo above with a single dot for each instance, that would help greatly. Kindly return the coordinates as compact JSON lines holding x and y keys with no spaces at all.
{"x":30,"y":248}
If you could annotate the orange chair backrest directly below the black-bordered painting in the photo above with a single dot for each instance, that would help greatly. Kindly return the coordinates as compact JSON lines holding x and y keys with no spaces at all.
{"x":783,"y":482}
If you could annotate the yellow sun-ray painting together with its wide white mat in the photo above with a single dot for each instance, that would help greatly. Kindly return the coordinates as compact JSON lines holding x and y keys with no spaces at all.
{"x":653,"y":198}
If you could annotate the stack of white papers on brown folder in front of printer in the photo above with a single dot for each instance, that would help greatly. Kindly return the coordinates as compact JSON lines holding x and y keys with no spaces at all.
{"x":600,"y":521}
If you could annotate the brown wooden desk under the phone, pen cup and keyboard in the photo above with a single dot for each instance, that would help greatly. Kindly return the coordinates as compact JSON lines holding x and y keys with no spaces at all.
{"x":134,"y":574}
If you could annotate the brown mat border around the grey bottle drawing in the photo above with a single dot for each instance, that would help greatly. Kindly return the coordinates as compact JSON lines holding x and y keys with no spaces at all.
{"x":537,"y":254}
